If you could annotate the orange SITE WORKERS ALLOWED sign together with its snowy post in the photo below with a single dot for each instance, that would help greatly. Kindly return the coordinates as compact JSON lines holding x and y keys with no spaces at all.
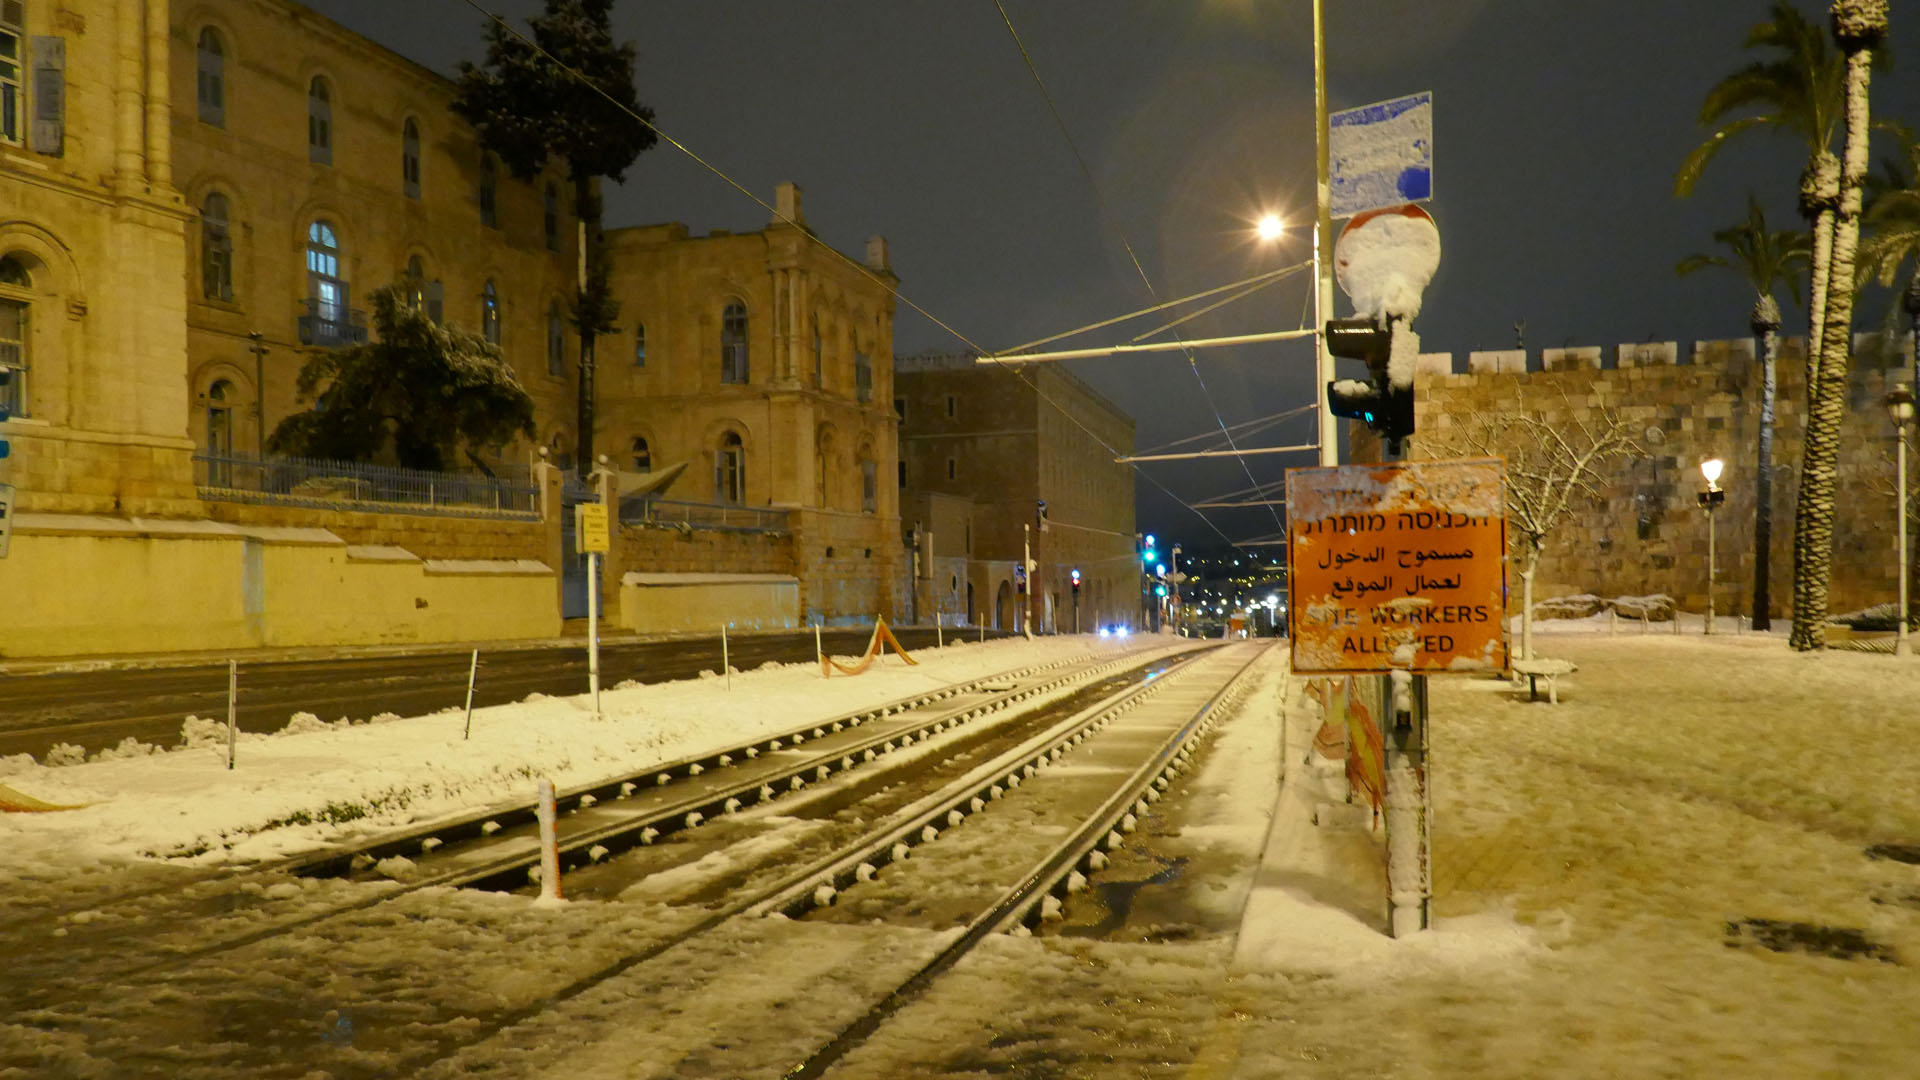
{"x":1399,"y":570}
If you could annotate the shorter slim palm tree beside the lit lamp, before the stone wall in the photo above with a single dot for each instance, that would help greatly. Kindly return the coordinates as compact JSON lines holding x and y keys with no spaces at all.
{"x":1765,"y":260}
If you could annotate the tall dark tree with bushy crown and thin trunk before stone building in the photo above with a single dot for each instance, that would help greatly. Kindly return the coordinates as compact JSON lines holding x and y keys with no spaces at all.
{"x":569,"y":95}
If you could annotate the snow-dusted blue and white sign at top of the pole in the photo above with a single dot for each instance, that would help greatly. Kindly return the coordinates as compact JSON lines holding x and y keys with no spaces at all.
{"x":1381,"y":155}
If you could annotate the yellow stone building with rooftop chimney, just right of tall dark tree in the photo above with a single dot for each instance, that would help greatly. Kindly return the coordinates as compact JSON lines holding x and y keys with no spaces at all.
{"x":765,"y":362}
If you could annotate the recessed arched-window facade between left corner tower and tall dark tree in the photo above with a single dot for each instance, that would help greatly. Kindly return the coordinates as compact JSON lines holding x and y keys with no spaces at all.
{"x":320,"y":166}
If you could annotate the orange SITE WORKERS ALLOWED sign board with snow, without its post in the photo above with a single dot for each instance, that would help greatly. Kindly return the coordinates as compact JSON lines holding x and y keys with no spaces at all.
{"x":1399,"y":568}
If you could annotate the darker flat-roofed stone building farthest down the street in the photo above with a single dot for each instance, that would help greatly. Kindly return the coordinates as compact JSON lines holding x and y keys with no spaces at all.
{"x":980,"y":451}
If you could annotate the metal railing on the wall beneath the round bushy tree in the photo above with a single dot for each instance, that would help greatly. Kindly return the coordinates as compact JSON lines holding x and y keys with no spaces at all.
{"x":352,"y":485}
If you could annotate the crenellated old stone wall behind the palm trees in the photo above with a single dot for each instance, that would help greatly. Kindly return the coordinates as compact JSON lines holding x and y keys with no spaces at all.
{"x":1648,"y":533}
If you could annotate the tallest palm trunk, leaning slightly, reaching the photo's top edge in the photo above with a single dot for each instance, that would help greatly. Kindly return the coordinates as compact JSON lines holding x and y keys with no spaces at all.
{"x":1860,"y":28}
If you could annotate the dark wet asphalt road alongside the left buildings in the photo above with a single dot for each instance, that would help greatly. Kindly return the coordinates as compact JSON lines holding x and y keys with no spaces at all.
{"x":101,"y":708}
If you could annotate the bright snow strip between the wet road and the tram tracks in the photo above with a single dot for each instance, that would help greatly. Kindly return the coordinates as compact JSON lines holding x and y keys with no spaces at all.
{"x":327,"y":783}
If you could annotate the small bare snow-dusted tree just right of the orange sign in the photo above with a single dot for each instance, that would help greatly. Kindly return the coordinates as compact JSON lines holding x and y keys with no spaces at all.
{"x":1554,"y":466}
